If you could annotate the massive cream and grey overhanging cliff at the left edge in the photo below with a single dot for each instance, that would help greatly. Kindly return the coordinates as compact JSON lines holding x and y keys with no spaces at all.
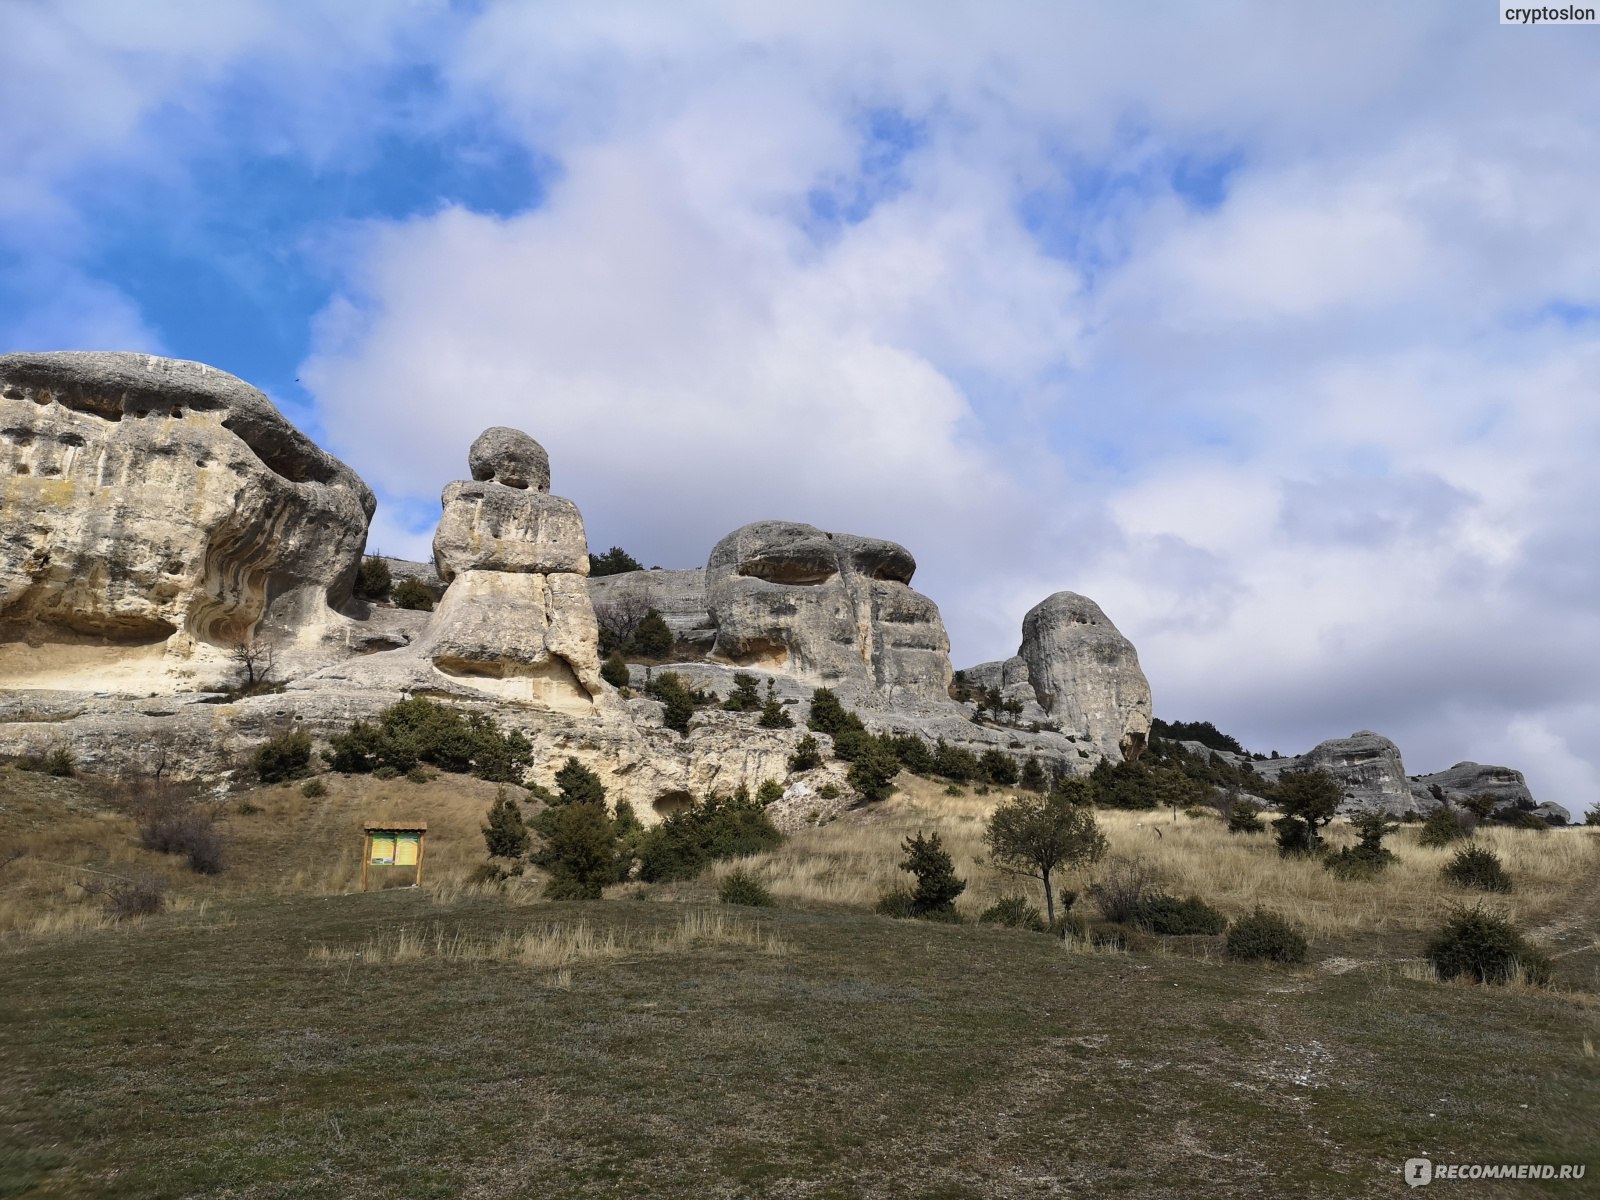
{"x":153,"y":506}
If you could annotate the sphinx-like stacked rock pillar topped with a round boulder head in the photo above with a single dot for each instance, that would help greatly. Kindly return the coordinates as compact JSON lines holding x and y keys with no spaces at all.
{"x":516,"y":620}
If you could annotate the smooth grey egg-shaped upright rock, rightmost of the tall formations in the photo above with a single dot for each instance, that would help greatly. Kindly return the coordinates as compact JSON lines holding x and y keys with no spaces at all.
{"x":1086,"y":674}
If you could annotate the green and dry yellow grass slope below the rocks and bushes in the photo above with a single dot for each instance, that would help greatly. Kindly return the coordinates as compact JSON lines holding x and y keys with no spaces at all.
{"x":276,"y":1038}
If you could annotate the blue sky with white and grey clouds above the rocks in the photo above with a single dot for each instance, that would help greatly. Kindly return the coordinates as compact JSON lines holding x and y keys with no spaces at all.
{"x":1276,"y":329}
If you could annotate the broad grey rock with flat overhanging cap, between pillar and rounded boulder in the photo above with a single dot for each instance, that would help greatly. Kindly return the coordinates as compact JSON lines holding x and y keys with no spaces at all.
{"x":828,"y":607}
